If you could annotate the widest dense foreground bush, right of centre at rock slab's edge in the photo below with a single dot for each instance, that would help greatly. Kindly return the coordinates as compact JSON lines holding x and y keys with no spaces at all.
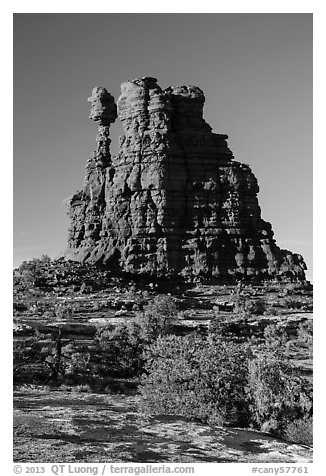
{"x":196,"y":377}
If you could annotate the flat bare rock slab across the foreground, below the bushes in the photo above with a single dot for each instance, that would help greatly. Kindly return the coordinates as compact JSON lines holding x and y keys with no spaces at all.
{"x":51,"y":426}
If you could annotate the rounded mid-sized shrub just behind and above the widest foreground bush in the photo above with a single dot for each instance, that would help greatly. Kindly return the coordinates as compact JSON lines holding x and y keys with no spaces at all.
{"x":157,"y":317}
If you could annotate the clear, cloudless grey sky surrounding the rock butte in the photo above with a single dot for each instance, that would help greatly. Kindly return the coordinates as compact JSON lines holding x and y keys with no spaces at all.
{"x":255,"y":71}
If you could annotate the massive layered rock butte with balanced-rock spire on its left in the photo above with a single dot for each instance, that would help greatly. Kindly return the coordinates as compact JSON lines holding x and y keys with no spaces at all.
{"x":172,"y":202}
